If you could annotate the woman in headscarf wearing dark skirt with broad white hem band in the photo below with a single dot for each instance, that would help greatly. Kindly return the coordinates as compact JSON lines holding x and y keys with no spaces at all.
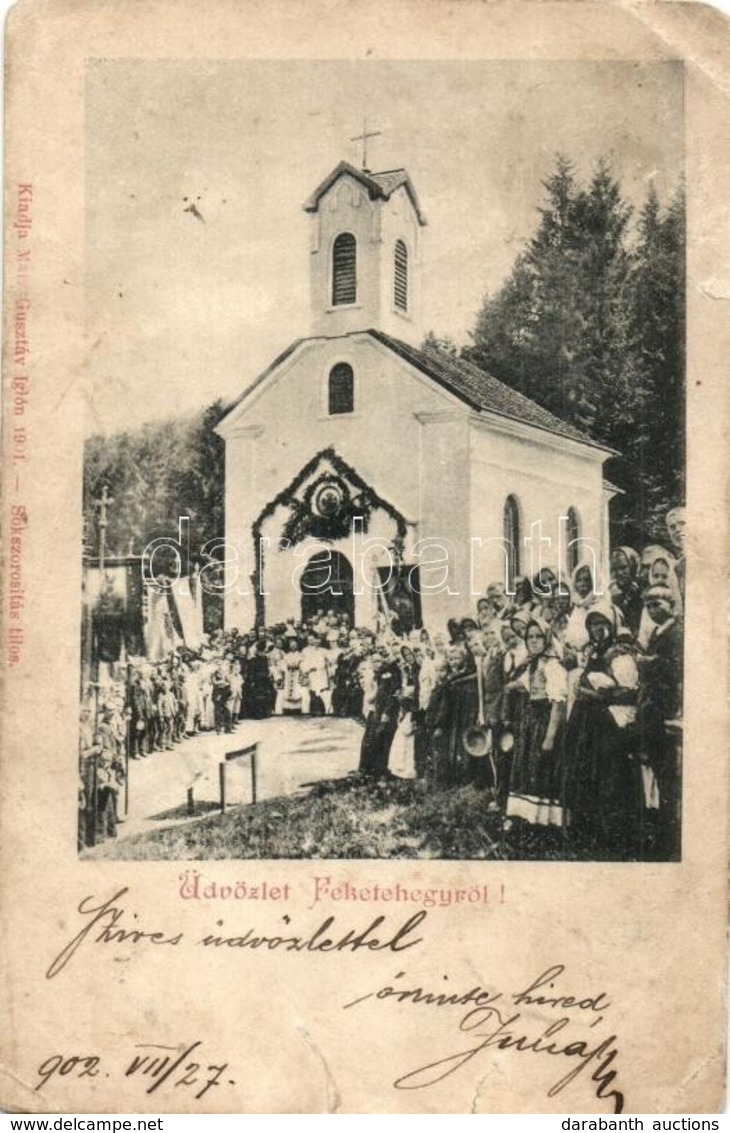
{"x":538,"y":765}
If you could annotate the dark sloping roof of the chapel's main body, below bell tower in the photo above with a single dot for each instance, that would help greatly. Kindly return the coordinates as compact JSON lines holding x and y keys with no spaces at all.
{"x":469,"y":382}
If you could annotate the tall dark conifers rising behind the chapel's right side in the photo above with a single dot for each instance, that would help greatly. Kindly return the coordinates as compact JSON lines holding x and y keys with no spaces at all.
{"x":593,"y":330}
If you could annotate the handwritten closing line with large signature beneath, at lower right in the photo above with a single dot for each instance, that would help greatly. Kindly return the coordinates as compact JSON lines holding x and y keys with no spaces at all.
{"x":495,"y":1023}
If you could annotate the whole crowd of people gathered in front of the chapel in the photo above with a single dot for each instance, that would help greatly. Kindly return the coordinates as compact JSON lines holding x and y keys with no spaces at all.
{"x":562,"y":704}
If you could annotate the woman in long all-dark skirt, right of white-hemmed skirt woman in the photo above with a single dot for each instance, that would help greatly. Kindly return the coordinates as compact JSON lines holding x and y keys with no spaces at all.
{"x":604,"y":790}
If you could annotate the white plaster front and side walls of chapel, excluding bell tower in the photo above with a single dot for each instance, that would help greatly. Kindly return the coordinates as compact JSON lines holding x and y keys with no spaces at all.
{"x":420,"y":449}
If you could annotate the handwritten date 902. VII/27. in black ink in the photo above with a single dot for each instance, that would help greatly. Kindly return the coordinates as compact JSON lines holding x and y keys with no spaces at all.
{"x":154,"y":1064}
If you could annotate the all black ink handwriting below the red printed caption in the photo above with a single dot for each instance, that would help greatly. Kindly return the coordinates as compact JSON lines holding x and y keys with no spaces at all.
{"x":544,"y":1017}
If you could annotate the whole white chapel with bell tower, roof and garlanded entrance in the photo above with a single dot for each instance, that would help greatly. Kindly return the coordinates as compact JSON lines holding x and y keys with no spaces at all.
{"x":364,"y":473}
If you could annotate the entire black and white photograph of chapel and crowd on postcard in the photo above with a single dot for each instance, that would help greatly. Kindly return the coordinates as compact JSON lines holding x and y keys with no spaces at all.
{"x":384,"y":476}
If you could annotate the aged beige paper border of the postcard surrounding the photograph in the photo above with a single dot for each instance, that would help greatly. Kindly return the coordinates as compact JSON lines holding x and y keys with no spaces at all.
{"x":653,"y":936}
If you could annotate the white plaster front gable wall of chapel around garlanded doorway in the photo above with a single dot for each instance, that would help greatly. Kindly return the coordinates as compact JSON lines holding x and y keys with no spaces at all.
{"x":284,"y":424}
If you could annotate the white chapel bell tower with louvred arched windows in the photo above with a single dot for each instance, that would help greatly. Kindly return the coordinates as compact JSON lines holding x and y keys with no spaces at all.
{"x":366,"y":254}
